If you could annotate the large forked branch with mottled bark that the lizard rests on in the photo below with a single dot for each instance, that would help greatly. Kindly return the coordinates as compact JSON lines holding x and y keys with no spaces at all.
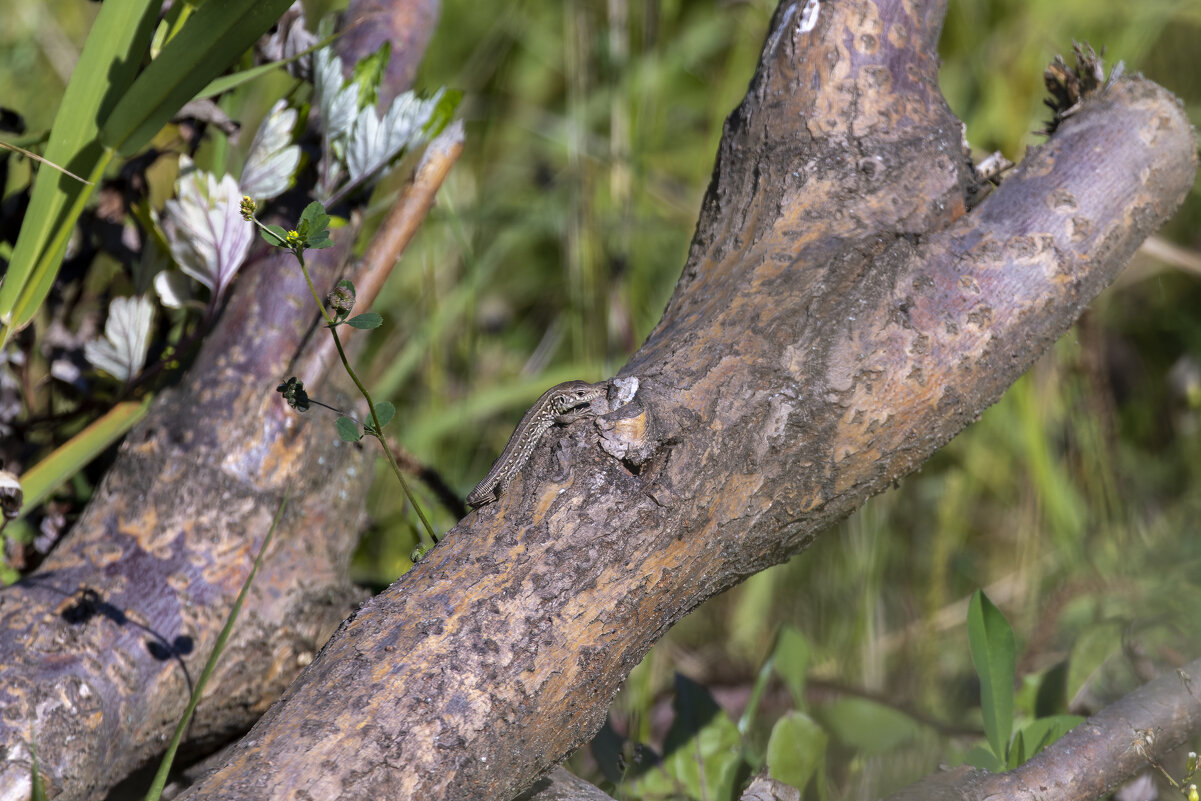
{"x":840,"y":318}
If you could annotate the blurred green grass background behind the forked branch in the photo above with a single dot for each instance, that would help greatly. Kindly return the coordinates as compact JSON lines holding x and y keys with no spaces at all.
{"x":591,"y":134}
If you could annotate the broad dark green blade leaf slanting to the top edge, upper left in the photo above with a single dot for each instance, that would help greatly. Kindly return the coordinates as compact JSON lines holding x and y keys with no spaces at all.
{"x":211,"y":40}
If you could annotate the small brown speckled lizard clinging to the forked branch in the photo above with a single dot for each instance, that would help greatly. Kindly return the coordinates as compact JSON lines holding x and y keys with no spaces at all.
{"x":558,"y":407}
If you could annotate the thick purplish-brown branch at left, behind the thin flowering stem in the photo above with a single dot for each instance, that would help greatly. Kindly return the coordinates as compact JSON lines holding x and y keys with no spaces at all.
{"x":101,"y":645}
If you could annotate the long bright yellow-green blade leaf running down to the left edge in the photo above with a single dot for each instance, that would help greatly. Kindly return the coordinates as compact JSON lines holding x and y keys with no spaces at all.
{"x":106,"y":69}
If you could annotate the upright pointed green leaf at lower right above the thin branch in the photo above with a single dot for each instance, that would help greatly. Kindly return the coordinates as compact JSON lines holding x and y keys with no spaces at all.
{"x":994,"y":654}
